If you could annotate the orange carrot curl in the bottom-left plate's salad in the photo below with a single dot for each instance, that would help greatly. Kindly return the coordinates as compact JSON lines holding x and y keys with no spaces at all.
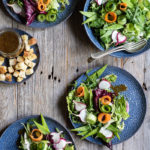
{"x":38,"y":134}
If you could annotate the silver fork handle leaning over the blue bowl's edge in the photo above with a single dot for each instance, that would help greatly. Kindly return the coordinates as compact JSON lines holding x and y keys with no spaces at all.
{"x":104,"y":53}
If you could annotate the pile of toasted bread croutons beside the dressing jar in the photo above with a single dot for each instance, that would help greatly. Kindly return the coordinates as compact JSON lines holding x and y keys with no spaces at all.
{"x":21,"y":66}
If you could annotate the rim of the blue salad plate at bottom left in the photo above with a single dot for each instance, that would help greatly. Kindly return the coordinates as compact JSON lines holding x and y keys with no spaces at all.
{"x":35,"y":116}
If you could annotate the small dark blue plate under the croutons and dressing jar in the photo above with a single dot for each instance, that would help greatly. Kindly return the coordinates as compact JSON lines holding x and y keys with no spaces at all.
{"x":36,"y":51}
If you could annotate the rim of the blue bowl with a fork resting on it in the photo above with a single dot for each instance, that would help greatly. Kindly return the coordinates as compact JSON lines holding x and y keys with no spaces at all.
{"x":94,"y":41}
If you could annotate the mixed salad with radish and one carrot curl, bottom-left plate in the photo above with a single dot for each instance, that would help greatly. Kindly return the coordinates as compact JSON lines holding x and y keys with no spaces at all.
{"x":37,"y":136}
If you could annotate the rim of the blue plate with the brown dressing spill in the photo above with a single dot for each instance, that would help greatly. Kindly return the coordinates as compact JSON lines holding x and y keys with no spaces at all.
{"x":96,"y":68}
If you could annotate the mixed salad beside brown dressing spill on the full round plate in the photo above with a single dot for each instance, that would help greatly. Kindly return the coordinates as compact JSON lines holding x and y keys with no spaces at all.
{"x":98,"y":107}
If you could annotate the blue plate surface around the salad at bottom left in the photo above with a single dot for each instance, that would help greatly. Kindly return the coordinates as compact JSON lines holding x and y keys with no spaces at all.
{"x":10,"y":136}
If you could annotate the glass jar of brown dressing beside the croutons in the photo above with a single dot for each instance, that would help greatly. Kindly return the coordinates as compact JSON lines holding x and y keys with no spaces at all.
{"x":11,"y":44}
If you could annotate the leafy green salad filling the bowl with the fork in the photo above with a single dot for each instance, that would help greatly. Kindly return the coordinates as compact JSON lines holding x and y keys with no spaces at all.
{"x":115,"y":22}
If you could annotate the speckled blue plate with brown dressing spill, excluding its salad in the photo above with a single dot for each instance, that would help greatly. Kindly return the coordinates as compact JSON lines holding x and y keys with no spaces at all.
{"x":136,"y":99}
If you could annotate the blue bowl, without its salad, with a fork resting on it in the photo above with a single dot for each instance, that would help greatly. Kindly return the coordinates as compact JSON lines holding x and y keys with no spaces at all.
{"x":95,"y":41}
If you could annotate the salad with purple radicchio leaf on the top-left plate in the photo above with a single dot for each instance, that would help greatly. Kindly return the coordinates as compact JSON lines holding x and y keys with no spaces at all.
{"x":42,"y":10}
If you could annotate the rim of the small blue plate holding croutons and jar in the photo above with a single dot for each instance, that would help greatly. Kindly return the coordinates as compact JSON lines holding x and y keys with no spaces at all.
{"x":36,"y":66}
